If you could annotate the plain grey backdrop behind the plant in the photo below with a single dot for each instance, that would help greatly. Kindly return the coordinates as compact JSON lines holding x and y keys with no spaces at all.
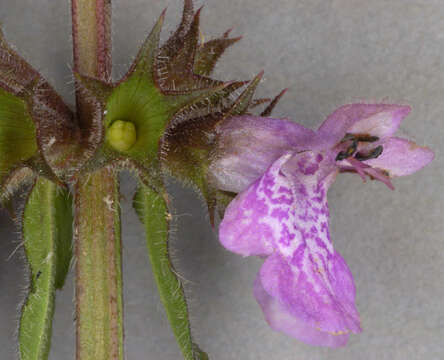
{"x":329,"y":52}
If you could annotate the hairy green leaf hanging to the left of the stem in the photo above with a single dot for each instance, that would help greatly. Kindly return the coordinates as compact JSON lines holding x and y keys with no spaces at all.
{"x":47,"y":233}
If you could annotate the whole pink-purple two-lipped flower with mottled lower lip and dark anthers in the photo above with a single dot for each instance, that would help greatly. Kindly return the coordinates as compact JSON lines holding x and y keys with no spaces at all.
{"x":282,"y":172}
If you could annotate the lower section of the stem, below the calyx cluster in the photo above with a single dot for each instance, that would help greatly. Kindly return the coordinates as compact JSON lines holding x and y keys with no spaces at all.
{"x":98,"y":271}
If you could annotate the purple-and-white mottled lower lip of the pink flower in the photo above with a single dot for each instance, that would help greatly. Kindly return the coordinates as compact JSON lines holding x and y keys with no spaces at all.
{"x":283,"y":216}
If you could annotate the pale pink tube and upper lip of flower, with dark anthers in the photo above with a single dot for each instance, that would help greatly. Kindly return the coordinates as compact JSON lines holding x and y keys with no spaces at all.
{"x":248,"y":145}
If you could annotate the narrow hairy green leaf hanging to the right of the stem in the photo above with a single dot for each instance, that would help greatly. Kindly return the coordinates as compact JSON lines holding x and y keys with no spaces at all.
{"x":153,"y":213}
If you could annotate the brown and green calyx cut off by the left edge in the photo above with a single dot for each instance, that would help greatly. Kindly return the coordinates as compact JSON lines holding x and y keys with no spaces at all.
{"x":37,"y":129}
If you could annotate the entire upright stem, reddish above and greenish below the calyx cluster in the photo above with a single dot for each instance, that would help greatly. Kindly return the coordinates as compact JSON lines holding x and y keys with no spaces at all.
{"x":98,"y":251}
